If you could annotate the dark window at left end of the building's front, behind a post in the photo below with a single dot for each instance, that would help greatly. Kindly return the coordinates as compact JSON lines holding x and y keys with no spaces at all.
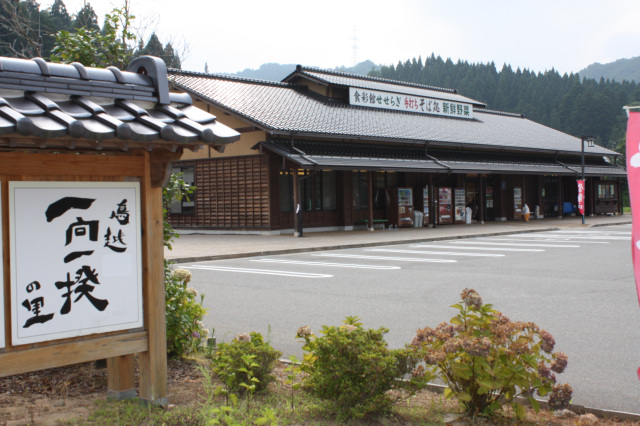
{"x":317,"y":190}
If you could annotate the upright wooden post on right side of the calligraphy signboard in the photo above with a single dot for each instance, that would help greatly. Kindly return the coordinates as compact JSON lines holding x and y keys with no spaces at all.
{"x":152,"y":363}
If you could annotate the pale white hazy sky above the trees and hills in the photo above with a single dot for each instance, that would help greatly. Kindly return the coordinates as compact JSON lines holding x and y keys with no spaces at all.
{"x":232,"y":35}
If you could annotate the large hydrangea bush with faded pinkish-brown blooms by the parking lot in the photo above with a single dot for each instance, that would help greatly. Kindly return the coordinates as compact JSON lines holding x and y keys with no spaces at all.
{"x":486,"y":360}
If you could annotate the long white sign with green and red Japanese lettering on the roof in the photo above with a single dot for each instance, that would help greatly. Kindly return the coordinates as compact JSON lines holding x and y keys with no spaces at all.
{"x":399,"y":102}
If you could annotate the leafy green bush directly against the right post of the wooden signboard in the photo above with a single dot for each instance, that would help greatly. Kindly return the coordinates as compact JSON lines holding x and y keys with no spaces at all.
{"x":185,"y":330}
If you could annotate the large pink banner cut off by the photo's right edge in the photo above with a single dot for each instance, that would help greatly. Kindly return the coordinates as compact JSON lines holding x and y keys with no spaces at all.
{"x":633,"y":176}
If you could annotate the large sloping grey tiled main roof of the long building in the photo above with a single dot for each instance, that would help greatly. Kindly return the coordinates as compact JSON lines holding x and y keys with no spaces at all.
{"x":287,"y":109}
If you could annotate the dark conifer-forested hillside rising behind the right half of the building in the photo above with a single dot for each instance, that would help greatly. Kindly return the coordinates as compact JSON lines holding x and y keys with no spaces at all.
{"x":564,"y":102}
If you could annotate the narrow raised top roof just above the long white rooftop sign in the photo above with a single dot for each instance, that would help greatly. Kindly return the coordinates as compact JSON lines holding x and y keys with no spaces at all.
{"x":381,"y":84}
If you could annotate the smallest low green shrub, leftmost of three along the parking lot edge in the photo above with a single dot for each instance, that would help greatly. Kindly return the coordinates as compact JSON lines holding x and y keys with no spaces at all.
{"x":230,"y":362}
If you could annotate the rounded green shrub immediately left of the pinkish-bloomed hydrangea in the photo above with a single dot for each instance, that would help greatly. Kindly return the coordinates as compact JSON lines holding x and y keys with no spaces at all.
{"x":350,"y":368}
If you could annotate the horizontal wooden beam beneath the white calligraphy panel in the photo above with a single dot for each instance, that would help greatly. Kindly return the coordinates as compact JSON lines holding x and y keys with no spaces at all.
{"x":27,"y":360}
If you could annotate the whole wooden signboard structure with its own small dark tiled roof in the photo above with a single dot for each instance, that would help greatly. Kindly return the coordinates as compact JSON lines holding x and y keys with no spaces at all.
{"x":81,"y":216}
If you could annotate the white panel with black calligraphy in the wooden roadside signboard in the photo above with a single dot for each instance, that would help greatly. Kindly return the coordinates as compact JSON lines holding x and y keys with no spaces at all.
{"x":75,"y":259}
